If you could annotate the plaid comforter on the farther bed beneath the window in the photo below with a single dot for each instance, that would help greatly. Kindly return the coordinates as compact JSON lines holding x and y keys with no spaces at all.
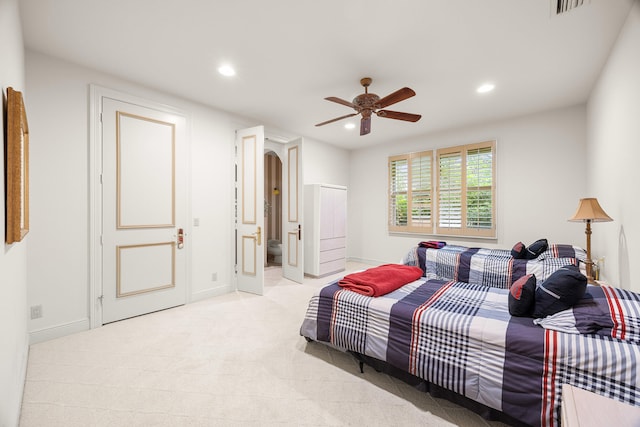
{"x":490,"y":267}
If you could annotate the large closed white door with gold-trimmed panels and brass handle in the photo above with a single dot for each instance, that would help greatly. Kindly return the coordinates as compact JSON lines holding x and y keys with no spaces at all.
{"x":143,"y":209}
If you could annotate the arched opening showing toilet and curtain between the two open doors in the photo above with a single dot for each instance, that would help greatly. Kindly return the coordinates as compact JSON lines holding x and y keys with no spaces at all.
{"x":273,"y":208}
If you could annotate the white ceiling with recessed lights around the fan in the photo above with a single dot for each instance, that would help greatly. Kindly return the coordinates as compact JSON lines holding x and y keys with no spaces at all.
{"x":291,"y":54}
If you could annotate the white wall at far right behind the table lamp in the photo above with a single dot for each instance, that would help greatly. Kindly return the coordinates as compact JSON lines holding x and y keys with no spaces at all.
{"x":613,"y":151}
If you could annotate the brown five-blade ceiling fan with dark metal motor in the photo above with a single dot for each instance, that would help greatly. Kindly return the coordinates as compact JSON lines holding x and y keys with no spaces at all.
{"x":370,"y":103}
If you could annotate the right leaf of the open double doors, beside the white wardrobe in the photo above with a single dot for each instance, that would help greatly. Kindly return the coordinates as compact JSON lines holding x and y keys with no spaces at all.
{"x":292,"y":212}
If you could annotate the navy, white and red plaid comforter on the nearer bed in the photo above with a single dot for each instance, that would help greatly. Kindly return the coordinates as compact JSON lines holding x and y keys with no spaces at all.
{"x":460,"y":336}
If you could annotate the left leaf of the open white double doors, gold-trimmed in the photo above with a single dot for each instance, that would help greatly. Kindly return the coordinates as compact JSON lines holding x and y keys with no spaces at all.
{"x":250,"y":206}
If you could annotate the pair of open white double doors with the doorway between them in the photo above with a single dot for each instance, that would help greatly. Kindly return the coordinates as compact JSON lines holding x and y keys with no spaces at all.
{"x":249,"y":222}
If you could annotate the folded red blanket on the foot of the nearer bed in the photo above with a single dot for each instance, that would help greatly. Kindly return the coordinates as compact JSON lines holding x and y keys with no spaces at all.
{"x":381,"y":280}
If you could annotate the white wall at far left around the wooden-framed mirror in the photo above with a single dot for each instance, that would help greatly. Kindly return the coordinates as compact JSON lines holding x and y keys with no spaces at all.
{"x":13,"y":258}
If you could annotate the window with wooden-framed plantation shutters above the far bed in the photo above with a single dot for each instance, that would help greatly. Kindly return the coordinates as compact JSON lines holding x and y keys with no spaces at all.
{"x":463,"y":191}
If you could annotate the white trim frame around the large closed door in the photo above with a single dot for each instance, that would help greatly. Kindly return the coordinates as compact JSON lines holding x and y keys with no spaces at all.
{"x":96,"y":95}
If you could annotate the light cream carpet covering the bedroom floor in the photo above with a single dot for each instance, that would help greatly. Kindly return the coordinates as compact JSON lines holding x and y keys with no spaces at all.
{"x":233,"y":360}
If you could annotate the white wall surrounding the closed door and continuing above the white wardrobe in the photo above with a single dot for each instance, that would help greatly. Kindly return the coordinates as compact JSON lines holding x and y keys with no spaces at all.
{"x":58,"y":255}
